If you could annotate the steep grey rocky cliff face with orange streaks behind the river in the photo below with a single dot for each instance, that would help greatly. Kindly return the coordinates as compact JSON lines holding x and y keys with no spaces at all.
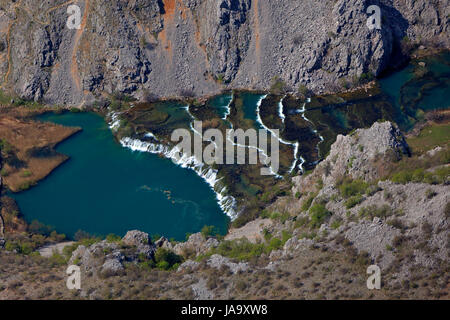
{"x":198,"y":47}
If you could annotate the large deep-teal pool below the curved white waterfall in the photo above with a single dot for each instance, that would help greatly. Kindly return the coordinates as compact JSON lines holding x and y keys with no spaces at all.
{"x":105,"y":188}
